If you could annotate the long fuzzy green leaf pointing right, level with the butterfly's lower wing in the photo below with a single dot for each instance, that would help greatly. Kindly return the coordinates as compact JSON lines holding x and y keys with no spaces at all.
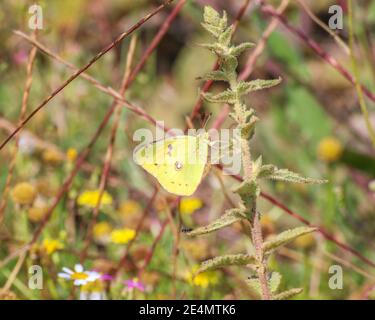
{"x":273,"y":173}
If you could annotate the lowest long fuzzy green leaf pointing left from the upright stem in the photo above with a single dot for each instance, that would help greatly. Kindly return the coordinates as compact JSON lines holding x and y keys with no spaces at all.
{"x":227,"y":260}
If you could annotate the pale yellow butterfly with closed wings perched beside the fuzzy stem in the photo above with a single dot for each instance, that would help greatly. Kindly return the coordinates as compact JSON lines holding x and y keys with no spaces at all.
{"x":178,"y":162}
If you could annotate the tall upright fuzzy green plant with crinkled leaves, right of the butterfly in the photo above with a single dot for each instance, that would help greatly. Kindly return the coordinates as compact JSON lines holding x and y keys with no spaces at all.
{"x":249,"y":189}
